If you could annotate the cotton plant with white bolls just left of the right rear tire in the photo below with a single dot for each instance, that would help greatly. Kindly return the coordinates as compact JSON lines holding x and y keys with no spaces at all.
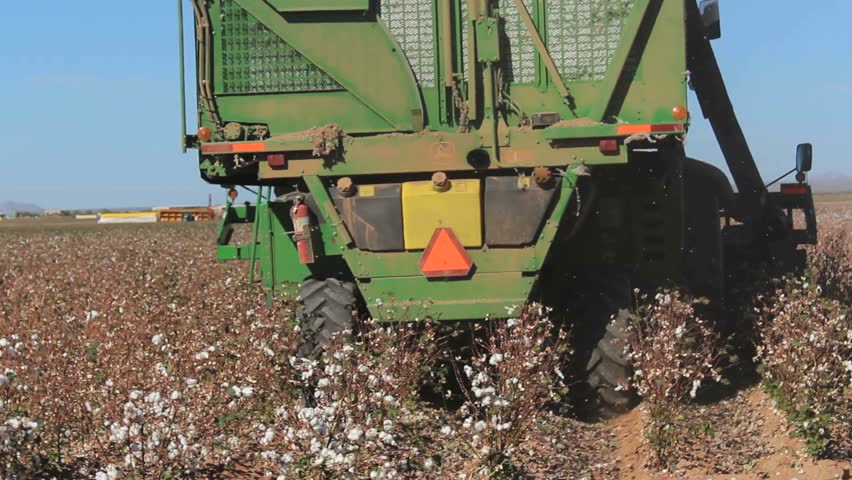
{"x":513,"y":375}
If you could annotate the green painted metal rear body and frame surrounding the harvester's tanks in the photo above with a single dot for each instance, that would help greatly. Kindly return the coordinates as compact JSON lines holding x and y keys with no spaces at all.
{"x":418,"y":87}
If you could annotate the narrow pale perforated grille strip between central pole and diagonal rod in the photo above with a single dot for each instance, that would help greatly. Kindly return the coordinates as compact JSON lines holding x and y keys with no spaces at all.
{"x":521,"y":65}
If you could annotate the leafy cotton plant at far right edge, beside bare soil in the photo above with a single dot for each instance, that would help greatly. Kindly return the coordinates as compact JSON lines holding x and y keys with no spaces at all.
{"x":805,"y":346}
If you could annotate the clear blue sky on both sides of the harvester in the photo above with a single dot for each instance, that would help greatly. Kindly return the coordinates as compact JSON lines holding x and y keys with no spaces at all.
{"x":90,"y":109}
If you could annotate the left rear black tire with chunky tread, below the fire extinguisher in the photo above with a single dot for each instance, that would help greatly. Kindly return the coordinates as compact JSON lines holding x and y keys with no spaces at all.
{"x":328,"y":310}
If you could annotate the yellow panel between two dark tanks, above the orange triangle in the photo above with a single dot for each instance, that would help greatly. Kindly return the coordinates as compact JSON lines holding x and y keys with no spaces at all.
{"x":424,"y":209}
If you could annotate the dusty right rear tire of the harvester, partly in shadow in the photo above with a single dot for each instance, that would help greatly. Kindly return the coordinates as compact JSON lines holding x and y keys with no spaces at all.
{"x":608,"y":370}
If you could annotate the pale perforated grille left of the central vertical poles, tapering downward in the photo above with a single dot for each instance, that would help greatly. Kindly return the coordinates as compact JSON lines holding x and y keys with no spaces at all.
{"x":412,"y":22}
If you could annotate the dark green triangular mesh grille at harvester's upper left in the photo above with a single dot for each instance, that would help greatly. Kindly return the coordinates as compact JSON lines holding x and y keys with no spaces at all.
{"x":255,"y":60}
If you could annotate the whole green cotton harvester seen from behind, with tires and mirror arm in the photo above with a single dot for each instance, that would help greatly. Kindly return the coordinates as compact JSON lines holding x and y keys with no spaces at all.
{"x":453,"y":159}
